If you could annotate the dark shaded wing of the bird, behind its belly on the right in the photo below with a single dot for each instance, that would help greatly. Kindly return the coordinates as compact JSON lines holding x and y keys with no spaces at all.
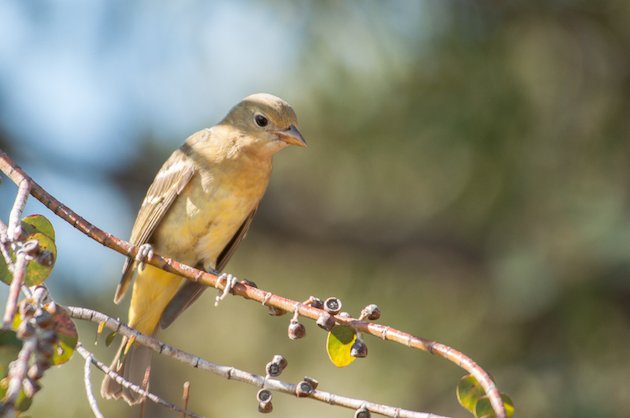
{"x":190,"y":291}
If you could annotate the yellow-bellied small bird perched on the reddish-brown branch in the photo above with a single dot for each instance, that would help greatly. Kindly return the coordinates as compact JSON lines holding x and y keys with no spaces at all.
{"x":197,"y":211}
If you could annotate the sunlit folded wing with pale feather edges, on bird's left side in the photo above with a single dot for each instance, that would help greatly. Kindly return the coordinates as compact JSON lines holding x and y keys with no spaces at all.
{"x":167,"y":185}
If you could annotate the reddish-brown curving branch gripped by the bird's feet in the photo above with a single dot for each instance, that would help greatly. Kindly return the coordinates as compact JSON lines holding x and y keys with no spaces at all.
{"x":8,"y":166}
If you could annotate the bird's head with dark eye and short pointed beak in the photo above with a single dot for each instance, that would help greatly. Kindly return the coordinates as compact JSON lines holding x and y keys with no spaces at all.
{"x":266,"y":121}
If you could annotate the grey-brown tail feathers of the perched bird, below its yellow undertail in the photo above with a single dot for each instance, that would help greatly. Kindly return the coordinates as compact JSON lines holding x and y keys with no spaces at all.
{"x":133,"y":367}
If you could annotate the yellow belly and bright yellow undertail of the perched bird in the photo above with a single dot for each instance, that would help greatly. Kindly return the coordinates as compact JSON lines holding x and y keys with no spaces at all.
{"x":196,"y":229}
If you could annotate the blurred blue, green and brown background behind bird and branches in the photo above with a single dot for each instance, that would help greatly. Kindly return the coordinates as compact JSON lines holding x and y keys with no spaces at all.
{"x":468,"y":170}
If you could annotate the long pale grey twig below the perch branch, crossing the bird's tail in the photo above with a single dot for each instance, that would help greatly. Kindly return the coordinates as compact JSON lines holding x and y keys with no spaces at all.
{"x":233,"y":373}
